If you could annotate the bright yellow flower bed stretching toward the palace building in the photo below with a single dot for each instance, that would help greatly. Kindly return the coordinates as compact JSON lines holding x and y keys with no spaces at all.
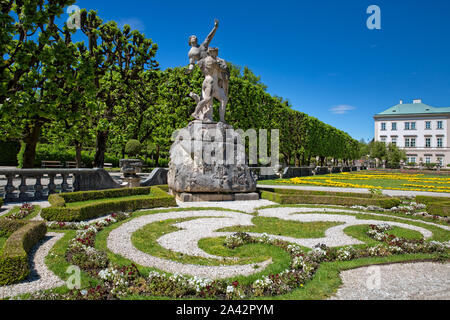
{"x":426,"y":183}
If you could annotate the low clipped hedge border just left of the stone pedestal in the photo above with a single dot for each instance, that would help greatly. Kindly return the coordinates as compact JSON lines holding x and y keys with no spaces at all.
{"x":156,"y":198}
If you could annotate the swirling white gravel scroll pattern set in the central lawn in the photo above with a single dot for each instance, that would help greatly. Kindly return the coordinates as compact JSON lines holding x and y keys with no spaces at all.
{"x":186,"y":240}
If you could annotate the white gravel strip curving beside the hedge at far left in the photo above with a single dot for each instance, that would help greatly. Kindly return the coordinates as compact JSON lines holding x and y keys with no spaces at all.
{"x":40,"y":278}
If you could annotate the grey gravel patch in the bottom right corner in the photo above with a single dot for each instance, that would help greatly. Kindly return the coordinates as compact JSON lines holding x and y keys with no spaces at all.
{"x":402,"y":281}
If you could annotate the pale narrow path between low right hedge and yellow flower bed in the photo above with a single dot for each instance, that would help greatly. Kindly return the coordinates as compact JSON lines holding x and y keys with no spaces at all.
{"x":394,"y":193}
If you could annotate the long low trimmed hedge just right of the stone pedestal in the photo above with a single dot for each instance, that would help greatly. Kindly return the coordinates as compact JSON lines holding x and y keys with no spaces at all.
{"x":292,"y":198}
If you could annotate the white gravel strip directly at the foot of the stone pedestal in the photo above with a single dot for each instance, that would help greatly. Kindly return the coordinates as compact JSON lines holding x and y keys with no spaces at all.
{"x":245,"y":206}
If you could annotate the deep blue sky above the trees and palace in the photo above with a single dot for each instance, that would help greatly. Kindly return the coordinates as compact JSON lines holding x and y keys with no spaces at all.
{"x":318,"y":54}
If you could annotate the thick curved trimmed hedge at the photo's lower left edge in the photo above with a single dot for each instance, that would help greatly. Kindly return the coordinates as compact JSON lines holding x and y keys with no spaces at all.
{"x":14,"y":254}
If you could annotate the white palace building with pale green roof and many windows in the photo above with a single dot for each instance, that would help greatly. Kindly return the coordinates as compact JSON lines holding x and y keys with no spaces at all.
{"x":421,"y":130}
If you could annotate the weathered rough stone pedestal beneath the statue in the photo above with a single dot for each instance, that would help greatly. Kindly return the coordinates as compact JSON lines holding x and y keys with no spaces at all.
{"x":207,"y":162}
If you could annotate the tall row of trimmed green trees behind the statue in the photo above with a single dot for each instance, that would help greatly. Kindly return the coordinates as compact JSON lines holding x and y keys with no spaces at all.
{"x":108,"y":89}
